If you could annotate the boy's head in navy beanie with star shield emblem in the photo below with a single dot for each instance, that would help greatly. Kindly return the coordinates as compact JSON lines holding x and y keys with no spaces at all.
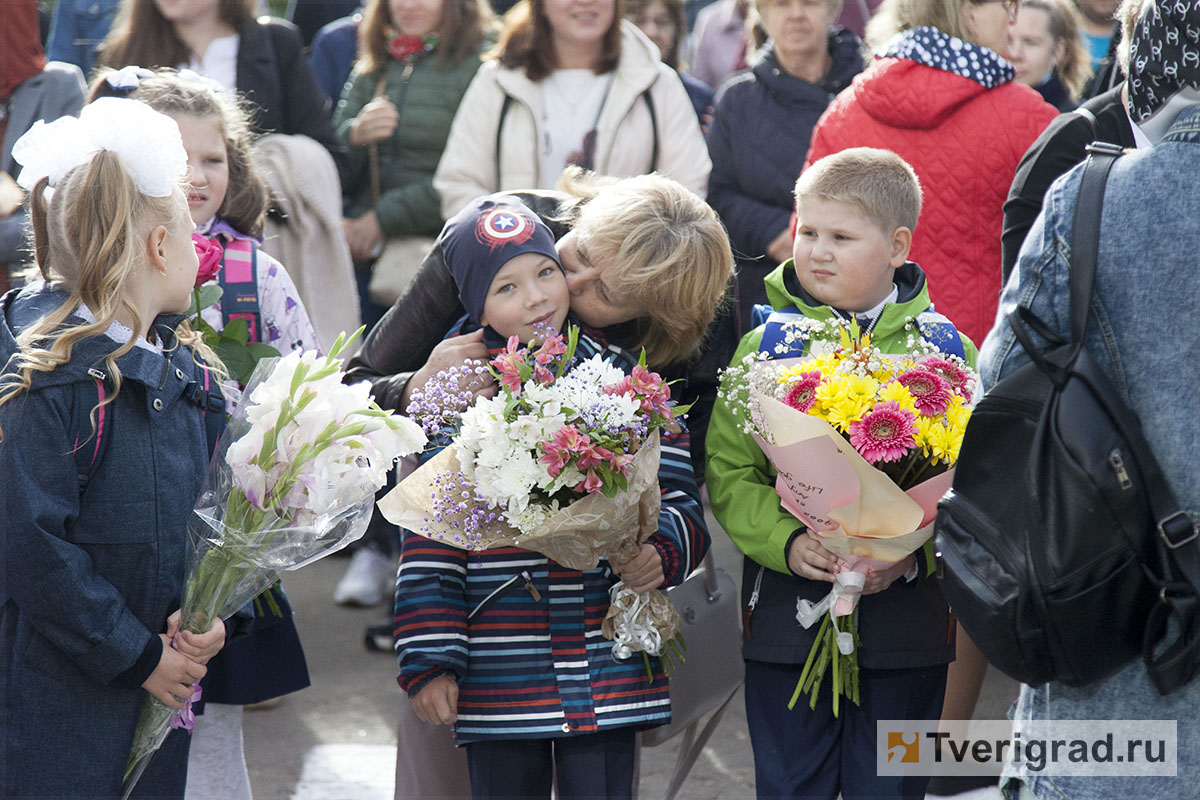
{"x":503,"y":261}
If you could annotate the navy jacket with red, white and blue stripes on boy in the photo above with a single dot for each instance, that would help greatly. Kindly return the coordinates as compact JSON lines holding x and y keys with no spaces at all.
{"x":521,"y":634}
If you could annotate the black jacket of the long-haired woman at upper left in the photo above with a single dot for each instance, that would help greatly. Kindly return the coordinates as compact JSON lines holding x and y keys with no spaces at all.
{"x":274,"y":75}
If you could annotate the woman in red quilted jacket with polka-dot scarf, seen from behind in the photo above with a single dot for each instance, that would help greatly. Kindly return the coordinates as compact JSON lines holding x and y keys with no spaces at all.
{"x":943,"y":97}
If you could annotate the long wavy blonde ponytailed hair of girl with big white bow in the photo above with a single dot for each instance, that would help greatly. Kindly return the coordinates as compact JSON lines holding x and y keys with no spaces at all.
{"x":91,"y":237}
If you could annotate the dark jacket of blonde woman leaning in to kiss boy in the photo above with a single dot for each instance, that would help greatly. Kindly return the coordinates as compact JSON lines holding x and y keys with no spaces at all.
{"x":403,"y":341}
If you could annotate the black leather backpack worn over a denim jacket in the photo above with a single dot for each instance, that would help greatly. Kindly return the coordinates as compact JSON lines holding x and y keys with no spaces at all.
{"x":1065,"y":554}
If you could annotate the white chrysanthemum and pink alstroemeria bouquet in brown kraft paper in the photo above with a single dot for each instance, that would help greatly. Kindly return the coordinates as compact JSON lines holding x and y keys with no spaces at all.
{"x":562,"y":461}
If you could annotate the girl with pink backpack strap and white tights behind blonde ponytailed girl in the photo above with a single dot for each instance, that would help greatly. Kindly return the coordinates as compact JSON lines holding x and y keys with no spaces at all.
{"x":229,"y":203}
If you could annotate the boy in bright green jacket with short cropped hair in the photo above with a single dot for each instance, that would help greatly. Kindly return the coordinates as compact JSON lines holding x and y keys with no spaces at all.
{"x":857,"y":210}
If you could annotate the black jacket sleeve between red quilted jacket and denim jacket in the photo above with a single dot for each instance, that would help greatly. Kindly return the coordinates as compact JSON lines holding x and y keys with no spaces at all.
{"x":1063,"y":146}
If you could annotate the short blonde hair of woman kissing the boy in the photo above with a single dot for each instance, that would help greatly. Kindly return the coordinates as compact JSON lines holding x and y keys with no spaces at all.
{"x":667,"y":248}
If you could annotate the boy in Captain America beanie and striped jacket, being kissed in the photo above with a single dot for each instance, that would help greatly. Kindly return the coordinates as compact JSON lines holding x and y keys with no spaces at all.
{"x":506,"y":645}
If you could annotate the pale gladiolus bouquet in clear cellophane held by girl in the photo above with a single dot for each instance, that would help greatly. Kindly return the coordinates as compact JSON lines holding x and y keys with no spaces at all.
{"x":293,"y":480}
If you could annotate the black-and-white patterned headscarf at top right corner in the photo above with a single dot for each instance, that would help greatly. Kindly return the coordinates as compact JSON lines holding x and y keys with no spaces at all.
{"x":1165,"y":55}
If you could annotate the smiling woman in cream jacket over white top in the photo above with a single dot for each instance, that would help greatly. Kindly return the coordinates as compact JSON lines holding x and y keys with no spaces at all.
{"x":569,"y":83}
